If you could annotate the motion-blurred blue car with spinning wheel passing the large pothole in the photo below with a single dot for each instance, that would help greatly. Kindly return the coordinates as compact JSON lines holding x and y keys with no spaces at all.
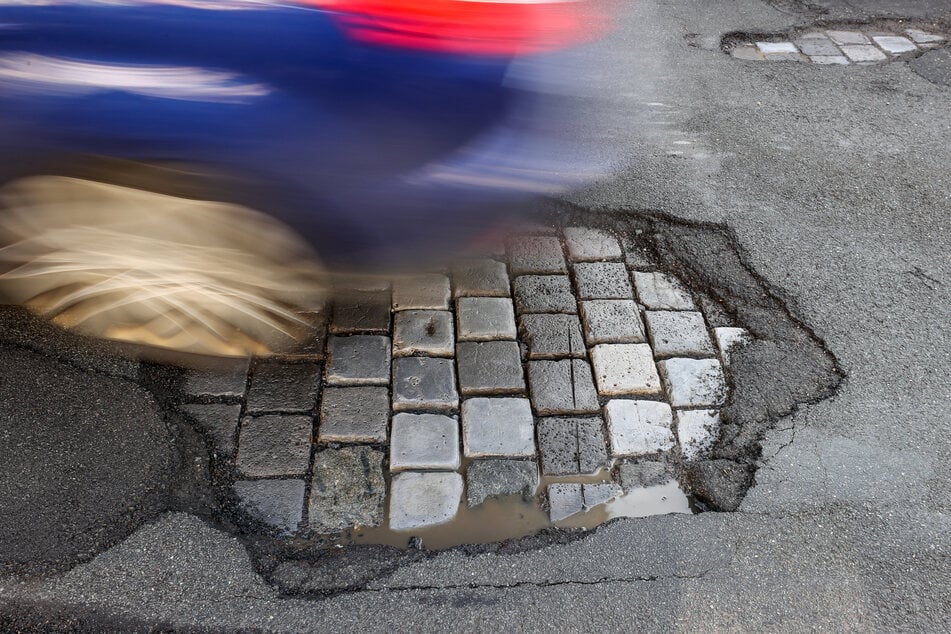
{"x":370,"y":129}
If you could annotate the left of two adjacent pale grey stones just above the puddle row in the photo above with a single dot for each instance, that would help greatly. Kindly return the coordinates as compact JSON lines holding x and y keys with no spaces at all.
{"x":424,"y":441}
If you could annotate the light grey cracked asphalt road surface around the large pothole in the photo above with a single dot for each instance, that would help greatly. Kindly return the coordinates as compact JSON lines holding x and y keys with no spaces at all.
{"x":833,"y":181}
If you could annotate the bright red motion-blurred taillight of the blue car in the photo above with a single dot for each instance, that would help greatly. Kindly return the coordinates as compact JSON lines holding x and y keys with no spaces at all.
{"x":482,"y":27}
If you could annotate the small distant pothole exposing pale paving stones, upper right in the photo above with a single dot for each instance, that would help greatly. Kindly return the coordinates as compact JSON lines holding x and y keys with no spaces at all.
{"x":836,"y":45}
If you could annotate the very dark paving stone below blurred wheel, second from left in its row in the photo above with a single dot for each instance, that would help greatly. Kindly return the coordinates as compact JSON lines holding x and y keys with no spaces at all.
{"x":283,"y":387}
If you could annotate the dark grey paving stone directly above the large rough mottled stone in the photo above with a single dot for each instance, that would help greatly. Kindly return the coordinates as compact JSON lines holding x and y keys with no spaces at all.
{"x":353,"y":414}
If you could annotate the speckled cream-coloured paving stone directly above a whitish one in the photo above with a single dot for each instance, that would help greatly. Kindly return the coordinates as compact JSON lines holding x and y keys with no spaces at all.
{"x":625,"y":368}
